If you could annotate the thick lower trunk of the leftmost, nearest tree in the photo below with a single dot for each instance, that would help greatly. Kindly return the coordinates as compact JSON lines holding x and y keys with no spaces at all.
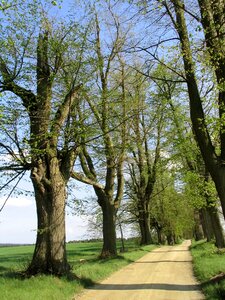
{"x":50,"y":252}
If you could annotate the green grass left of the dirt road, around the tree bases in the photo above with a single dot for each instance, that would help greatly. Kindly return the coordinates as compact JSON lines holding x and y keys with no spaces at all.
{"x":83,"y":258}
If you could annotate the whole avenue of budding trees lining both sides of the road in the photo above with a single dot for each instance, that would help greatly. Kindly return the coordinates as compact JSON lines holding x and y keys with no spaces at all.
{"x":97,"y":101}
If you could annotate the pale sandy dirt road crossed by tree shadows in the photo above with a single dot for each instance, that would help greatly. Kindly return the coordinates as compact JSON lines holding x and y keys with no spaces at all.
{"x":163,"y":274}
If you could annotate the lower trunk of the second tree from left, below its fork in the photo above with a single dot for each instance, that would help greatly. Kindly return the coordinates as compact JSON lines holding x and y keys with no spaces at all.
{"x":109,"y":227}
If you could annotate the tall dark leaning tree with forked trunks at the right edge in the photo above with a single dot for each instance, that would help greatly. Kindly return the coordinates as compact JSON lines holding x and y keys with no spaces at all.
{"x":176,"y":14}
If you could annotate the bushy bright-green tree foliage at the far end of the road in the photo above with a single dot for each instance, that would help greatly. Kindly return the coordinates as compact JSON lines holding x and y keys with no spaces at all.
{"x":171,"y":214}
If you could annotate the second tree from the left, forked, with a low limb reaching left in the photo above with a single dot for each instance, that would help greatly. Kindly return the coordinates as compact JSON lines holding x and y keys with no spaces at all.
{"x":108,"y":109}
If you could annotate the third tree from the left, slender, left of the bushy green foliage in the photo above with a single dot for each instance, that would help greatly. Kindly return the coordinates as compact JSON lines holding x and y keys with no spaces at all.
{"x":145,"y":137}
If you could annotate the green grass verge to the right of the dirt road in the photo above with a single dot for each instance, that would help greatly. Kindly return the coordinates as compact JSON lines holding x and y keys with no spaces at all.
{"x":209,"y":268}
